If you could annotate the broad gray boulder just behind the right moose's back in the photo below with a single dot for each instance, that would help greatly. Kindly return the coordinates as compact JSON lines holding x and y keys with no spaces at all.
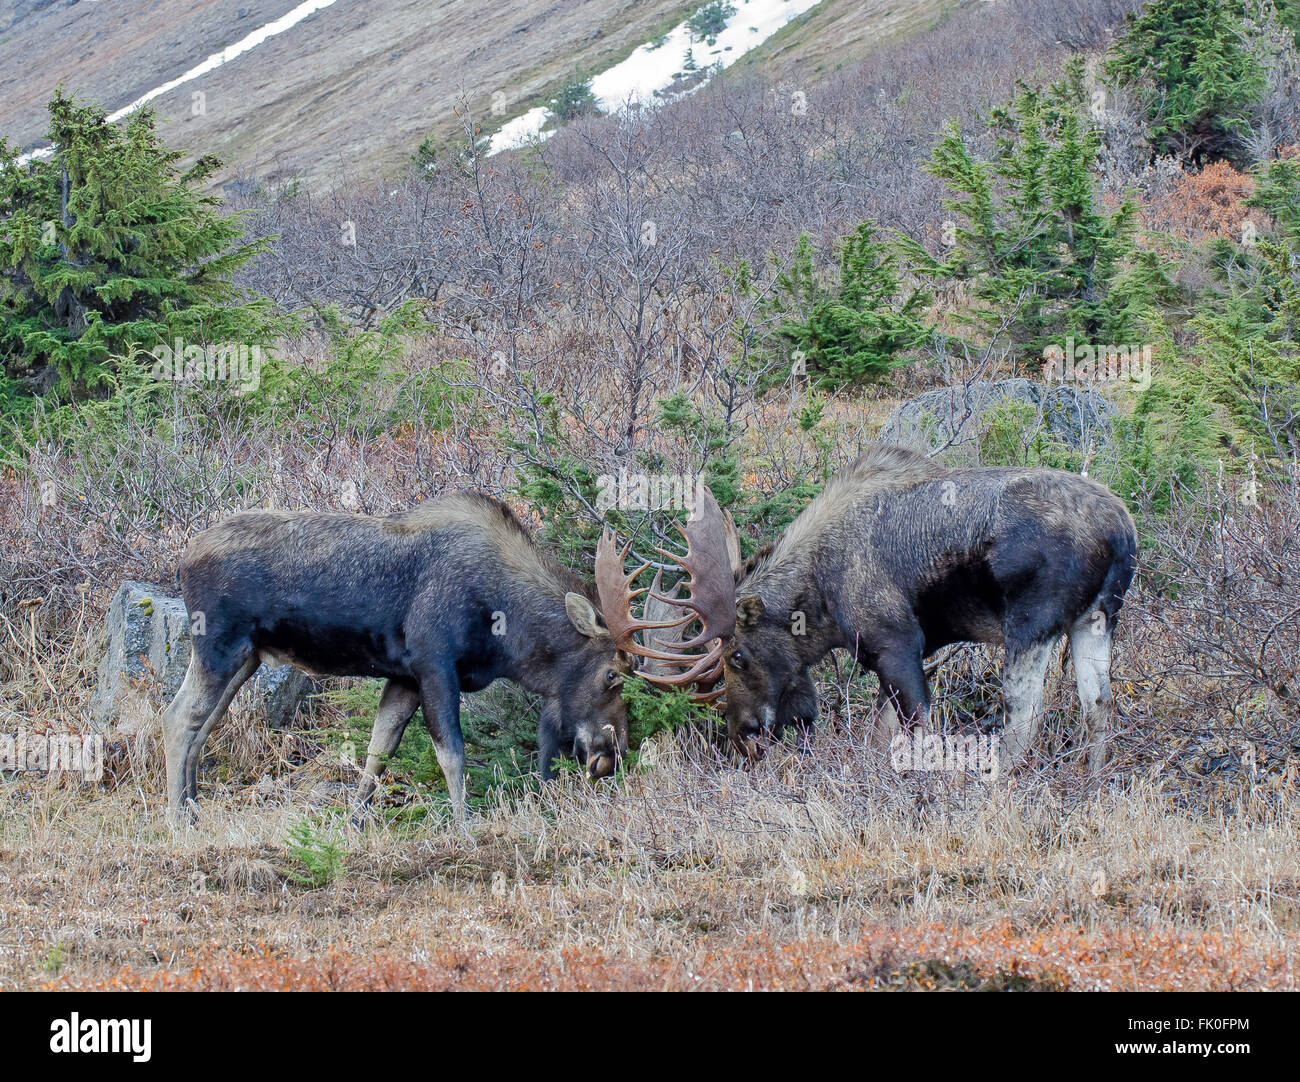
{"x":954,"y":418}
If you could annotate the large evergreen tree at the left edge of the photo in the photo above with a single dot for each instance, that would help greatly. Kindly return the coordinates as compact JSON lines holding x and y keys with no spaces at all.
{"x":106,"y":246}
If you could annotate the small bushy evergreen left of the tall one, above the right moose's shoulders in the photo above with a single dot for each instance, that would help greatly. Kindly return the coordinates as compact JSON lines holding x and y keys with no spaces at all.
{"x":856,"y":330}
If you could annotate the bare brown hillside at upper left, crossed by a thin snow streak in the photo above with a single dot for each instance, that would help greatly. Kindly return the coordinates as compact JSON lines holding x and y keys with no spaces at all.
{"x":348,"y":93}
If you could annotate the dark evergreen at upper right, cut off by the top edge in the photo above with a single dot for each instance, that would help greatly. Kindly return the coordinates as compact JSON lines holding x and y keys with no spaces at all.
{"x":1191,"y":55}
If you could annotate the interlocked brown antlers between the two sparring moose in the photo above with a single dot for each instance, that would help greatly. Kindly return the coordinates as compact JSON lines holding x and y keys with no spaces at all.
{"x":712,"y":599}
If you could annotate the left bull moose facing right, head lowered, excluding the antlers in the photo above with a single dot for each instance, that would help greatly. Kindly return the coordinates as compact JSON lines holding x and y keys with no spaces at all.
{"x":440,"y":600}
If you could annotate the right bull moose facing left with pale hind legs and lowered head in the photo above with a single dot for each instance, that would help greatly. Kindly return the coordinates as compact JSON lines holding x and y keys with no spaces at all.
{"x":900,"y":556}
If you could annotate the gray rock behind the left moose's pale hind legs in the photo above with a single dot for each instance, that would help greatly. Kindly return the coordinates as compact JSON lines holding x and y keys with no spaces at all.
{"x":148,"y":647}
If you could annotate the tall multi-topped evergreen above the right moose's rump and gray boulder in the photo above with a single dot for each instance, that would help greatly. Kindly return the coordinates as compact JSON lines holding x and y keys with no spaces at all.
{"x":1029,"y":237}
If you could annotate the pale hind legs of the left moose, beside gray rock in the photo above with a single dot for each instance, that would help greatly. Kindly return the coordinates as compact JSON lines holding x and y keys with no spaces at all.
{"x":202,"y":702}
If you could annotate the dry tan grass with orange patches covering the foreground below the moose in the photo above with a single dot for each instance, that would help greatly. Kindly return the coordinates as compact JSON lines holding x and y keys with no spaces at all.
{"x":808,"y":872}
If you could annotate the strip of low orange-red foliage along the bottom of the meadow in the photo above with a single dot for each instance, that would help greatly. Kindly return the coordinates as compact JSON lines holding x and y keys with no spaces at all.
{"x":922,"y":958}
